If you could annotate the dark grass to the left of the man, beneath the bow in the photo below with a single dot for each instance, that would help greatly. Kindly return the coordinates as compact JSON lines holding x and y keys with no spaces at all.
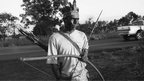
{"x":18,"y":70}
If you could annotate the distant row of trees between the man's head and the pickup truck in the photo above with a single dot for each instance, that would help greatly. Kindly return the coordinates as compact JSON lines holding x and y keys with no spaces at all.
{"x":104,"y":26}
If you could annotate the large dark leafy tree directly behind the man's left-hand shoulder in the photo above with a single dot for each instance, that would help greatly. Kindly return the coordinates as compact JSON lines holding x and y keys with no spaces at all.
{"x":43,"y":13}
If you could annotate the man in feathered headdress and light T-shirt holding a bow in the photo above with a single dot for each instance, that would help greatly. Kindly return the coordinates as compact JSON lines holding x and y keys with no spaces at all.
{"x":69,"y":68}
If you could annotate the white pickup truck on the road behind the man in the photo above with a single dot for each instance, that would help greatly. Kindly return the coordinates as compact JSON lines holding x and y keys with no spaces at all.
{"x":134,"y":29}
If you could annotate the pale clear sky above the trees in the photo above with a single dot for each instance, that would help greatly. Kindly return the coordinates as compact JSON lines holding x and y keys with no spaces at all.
{"x":112,"y":9}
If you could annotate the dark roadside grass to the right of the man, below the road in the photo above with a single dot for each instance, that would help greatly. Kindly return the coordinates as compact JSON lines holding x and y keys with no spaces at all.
{"x":123,"y":64}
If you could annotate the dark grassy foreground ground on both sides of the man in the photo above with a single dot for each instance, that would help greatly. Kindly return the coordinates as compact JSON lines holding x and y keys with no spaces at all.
{"x":122,"y":64}
